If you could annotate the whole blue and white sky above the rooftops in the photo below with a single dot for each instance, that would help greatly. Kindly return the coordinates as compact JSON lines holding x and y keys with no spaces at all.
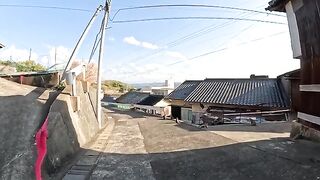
{"x":141,"y":52}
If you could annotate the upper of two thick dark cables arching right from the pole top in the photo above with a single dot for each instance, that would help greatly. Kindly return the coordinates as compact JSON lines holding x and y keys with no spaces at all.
{"x":193,"y":5}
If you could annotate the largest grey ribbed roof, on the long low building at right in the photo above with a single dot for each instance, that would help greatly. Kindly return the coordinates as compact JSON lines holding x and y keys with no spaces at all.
{"x":248,"y":92}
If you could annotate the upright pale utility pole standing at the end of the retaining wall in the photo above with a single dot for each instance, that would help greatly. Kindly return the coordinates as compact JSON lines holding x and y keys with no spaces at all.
{"x":104,"y":26}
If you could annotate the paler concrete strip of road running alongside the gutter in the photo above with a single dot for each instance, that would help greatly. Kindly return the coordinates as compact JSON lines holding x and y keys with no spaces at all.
{"x":125,"y":156}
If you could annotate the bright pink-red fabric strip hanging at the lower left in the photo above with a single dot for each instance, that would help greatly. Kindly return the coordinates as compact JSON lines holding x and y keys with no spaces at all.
{"x":41,"y":141}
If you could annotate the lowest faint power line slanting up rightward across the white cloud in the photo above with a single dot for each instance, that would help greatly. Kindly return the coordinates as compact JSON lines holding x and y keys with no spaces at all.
{"x":211,"y":52}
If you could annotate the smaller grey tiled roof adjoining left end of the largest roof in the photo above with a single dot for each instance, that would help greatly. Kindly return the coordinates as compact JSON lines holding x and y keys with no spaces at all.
{"x":182,"y":91}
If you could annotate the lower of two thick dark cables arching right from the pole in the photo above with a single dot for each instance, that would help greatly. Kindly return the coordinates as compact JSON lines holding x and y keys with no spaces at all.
{"x":196,"y":18}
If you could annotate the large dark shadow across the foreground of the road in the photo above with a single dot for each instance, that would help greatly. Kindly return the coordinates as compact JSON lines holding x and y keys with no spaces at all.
{"x":264,"y":160}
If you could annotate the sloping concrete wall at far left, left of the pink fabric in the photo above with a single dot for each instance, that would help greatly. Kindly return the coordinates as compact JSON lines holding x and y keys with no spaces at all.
{"x":22,"y":111}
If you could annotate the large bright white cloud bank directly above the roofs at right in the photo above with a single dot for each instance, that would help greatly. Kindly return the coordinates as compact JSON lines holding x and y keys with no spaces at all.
{"x":242,"y":56}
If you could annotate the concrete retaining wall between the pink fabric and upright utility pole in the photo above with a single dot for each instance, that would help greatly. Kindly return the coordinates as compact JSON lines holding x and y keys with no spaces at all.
{"x":68,"y":130}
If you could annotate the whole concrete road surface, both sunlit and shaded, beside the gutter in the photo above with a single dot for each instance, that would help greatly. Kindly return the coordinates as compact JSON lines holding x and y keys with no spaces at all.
{"x":145,"y":147}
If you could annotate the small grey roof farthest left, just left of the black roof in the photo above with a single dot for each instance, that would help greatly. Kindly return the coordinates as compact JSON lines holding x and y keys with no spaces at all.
{"x":132,"y":97}
